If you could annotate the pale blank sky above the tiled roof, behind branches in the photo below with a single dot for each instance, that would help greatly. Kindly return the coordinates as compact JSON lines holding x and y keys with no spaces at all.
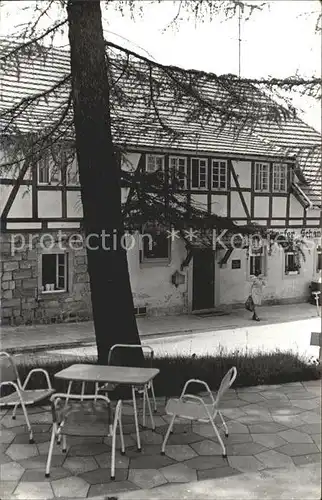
{"x":278,"y":41}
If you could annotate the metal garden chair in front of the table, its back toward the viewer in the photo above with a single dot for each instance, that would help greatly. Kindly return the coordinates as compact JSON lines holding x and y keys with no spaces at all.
{"x":84,"y":415}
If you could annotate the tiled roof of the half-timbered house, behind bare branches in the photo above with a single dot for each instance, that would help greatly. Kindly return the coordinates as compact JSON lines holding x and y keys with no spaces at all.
{"x":135,"y":122}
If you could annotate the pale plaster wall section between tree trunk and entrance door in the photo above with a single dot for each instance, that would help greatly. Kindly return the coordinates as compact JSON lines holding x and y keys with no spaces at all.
{"x":151,"y":283}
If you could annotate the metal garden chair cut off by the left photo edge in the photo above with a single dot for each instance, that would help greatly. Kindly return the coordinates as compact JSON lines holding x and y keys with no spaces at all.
{"x":9,"y":376}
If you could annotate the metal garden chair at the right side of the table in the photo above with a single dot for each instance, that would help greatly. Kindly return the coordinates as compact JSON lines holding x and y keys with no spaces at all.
{"x":194,"y":407}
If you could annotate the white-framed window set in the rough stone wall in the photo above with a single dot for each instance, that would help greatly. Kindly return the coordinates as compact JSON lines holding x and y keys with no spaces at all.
{"x":54,"y":272}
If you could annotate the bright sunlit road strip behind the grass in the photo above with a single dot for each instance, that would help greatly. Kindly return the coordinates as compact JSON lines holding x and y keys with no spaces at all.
{"x":289,"y":336}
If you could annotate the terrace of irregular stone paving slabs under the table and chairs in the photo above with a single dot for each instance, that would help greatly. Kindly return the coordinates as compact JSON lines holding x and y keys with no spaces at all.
{"x":273,"y":452}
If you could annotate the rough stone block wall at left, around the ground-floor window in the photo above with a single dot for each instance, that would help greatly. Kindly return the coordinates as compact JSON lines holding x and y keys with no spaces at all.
{"x":22,"y":301}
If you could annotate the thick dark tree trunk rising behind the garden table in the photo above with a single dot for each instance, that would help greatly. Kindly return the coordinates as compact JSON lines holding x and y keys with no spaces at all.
{"x":99,"y":172}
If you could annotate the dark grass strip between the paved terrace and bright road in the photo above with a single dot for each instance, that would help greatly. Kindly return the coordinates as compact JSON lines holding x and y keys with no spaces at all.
{"x":252,"y":369}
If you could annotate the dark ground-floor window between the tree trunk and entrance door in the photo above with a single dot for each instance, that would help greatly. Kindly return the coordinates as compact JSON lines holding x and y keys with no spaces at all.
{"x":155,"y":243}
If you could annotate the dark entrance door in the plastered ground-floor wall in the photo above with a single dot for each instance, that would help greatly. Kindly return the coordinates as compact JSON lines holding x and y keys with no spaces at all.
{"x":203,"y":293}
